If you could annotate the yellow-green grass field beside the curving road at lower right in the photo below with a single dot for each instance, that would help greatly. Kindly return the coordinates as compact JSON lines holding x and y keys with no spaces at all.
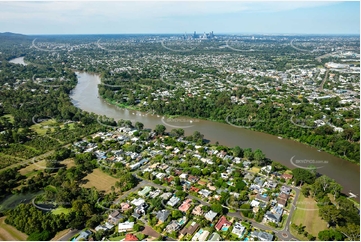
{"x":307,"y":214}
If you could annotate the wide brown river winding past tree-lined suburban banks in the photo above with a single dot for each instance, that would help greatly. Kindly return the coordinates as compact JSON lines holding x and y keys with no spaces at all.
{"x":287,"y":152}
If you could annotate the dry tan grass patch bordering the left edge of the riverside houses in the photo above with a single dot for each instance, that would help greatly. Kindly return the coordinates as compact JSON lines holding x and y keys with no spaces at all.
{"x":100,"y":180}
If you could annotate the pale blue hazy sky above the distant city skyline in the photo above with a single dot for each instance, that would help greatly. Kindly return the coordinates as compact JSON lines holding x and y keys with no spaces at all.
{"x":237,"y":17}
